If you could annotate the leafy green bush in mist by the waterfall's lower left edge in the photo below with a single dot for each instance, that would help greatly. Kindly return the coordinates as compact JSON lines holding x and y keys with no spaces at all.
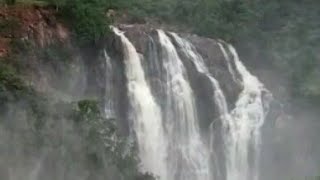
{"x":101,"y":134}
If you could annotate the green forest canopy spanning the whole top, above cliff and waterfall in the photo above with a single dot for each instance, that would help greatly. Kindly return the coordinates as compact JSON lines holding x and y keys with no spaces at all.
{"x":283,"y":32}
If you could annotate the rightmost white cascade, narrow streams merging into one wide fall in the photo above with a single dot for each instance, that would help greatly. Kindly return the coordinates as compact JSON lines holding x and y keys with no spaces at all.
{"x":242,"y":125}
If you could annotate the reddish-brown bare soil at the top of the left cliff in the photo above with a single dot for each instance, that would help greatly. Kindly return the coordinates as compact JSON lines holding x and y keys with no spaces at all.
{"x":35,"y":23}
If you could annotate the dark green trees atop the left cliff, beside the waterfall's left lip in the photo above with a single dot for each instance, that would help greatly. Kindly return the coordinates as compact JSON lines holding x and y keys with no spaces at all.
{"x":87,"y":18}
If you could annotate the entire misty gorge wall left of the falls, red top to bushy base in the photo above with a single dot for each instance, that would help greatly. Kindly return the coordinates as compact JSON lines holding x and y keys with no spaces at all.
{"x":48,"y":73}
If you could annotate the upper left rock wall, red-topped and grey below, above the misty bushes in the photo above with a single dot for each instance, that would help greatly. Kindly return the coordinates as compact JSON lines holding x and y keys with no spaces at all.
{"x":43,"y":50}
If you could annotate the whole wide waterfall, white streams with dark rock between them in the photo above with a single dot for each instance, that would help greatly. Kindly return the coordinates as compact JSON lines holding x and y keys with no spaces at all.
{"x":189,"y":94}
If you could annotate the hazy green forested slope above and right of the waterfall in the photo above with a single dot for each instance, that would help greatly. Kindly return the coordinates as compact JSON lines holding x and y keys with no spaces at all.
{"x":283,"y":34}
